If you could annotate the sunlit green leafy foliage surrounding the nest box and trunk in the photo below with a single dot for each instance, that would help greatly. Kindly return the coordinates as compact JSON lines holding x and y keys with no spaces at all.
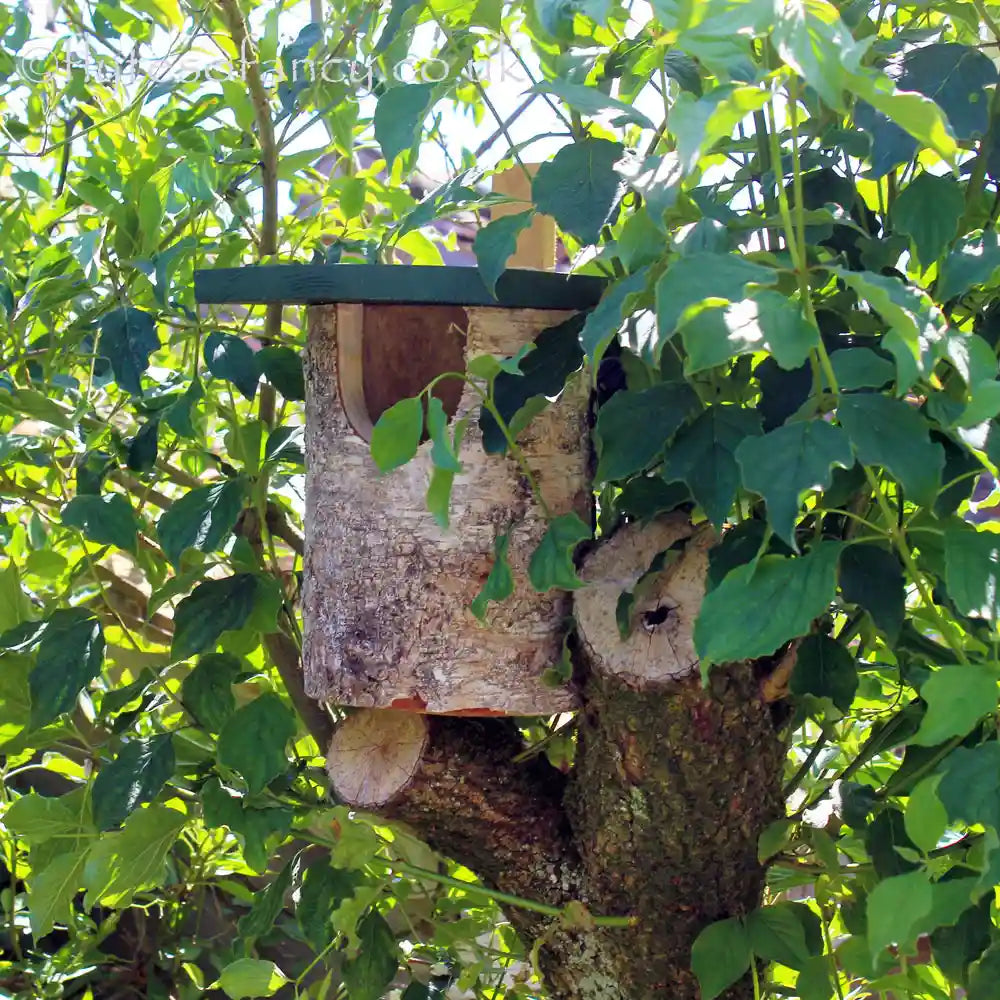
{"x":794,"y":203}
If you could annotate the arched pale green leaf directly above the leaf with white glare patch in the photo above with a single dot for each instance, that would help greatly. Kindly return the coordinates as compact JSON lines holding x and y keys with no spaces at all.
{"x":692,"y":283}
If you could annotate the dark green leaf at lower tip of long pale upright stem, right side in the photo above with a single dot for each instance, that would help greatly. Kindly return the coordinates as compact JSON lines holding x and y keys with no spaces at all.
{"x":891,"y":433}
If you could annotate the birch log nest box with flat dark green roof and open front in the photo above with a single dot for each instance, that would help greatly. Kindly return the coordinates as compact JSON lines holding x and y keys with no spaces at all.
{"x":386,"y":590}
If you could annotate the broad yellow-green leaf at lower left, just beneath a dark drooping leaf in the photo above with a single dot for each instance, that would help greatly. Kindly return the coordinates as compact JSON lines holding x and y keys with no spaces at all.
{"x":120,"y":864}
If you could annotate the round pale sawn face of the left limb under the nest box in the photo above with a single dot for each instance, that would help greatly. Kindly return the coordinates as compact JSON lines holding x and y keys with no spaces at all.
{"x":374,"y":755}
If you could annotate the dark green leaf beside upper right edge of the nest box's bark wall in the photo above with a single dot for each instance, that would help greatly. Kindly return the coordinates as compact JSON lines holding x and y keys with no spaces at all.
{"x":660,"y":410}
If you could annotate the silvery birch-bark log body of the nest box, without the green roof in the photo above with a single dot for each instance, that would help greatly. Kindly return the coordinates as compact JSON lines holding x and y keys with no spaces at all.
{"x":387,"y":590}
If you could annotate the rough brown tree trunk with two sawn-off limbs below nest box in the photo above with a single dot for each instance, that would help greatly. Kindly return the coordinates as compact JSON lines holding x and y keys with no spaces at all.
{"x":659,"y":818}
